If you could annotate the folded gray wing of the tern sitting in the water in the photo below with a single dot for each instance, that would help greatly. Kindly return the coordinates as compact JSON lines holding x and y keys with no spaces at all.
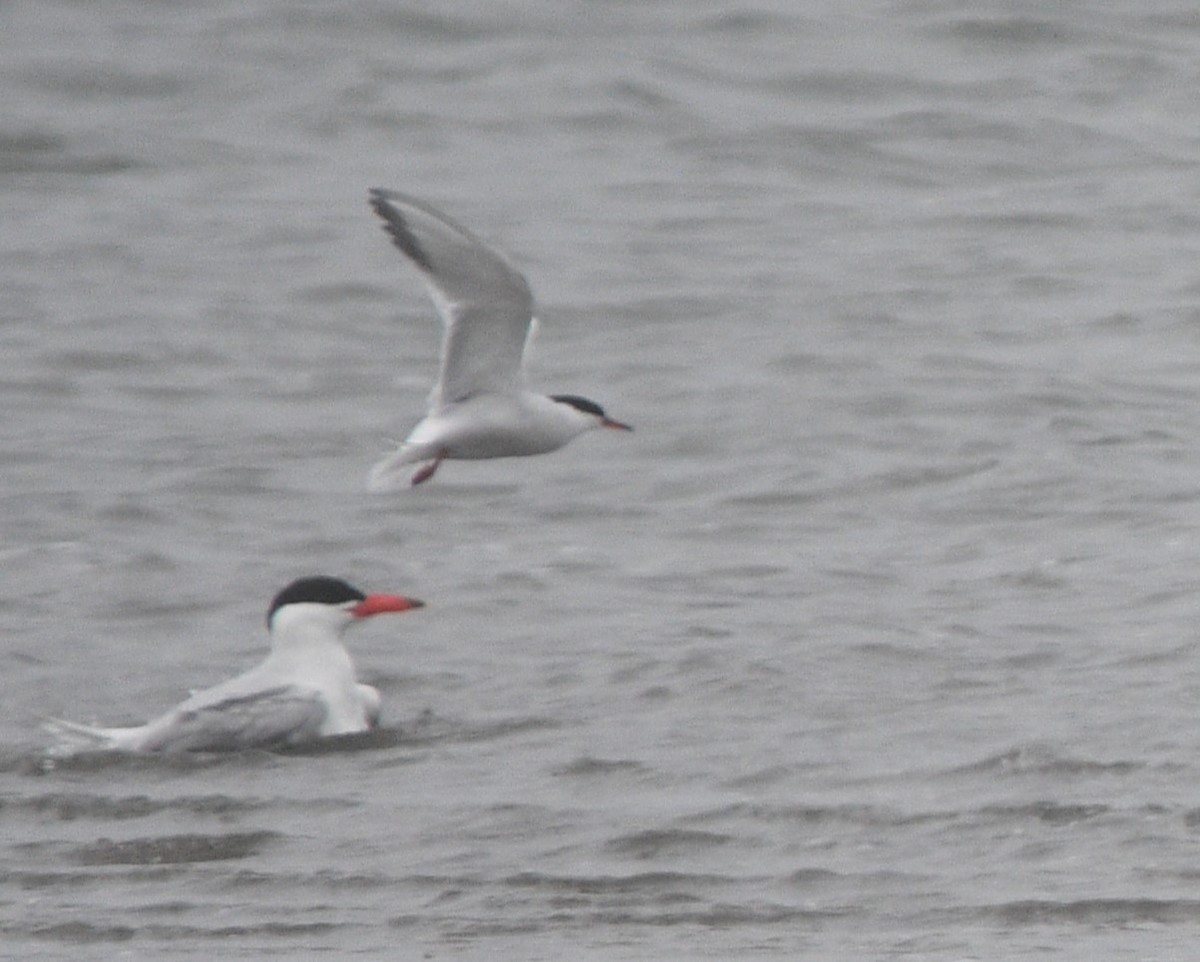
{"x":275,"y":717}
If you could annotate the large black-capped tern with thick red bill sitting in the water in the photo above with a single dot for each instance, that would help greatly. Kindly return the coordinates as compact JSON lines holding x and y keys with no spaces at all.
{"x":303,"y":692}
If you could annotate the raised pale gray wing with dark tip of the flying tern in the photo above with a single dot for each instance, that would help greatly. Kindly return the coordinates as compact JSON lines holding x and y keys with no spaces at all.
{"x":484,"y":302}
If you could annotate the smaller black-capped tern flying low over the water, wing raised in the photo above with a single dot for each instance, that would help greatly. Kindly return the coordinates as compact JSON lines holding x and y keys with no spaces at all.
{"x":481,"y":407}
